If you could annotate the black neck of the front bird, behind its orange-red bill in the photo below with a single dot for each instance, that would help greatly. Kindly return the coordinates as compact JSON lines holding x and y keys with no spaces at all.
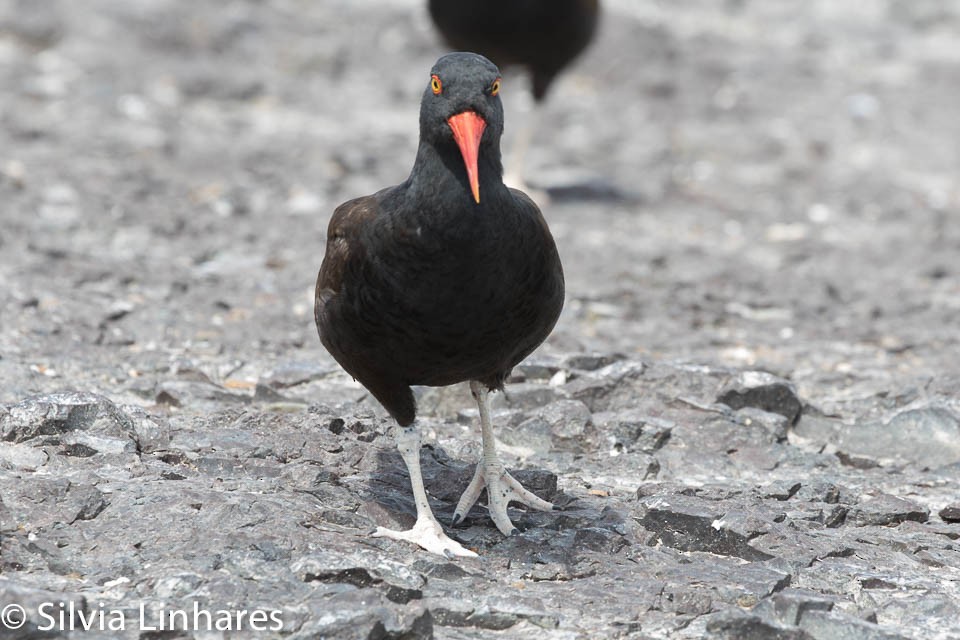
{"x":439,"y":170}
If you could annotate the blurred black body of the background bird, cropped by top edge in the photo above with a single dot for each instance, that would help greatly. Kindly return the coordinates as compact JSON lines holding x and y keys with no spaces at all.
{"x":542,"y":35}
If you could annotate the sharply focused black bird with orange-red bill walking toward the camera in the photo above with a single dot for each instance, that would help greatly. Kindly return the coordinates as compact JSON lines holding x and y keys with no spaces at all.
{"x":447,"y":277}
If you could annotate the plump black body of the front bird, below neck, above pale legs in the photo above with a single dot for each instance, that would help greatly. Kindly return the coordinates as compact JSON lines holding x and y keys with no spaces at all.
{"x":405,"y":304}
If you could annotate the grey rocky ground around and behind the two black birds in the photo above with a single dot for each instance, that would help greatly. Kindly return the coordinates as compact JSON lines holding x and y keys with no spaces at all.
{"x":749,"y":408}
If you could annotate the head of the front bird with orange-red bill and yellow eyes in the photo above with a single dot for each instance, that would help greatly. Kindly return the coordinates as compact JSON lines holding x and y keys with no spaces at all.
{"x":461,"y":105}
